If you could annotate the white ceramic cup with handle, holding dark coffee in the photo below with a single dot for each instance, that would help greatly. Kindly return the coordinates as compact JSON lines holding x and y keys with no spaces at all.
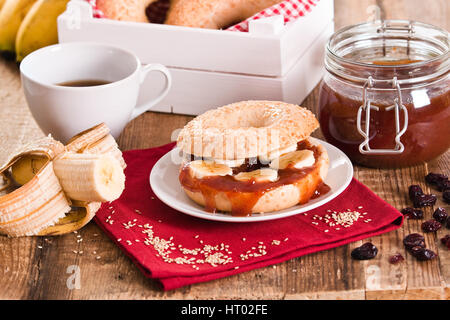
{"x":64,"y":111}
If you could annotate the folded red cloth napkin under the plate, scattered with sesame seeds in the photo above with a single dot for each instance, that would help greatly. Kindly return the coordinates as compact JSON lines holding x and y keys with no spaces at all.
{"x":177,"y":249}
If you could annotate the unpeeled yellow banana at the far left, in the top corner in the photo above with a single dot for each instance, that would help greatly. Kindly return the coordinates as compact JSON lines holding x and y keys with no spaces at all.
{"x":12,"y":14}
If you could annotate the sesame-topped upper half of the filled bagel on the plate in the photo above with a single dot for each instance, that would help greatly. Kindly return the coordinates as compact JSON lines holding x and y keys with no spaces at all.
{"x":246,"y":129}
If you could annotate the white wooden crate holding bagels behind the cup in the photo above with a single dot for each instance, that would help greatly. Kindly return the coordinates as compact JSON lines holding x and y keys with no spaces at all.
{"x":211,"y":68}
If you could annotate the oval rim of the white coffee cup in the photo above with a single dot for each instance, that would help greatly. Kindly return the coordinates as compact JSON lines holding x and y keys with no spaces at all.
{"x":29,"y":58}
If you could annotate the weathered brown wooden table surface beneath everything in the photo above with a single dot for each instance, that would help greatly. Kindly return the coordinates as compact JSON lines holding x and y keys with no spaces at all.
{"x":27,"y":272}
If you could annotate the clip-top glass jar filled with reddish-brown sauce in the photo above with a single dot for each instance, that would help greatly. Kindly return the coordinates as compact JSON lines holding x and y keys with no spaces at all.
{"x":385,"y":99}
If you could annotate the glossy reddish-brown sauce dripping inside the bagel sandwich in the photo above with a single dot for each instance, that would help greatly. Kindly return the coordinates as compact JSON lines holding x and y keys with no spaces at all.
{"x":243,"y":195}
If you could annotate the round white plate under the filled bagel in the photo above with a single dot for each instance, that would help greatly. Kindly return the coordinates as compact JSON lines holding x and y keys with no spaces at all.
{"x":165,"y":185}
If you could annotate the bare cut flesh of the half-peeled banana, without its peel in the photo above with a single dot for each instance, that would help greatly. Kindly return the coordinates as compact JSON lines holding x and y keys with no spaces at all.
{"x":90,"y":177}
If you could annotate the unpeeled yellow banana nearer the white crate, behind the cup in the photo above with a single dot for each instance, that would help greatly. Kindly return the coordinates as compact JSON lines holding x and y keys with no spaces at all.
{"x":39,"y":27}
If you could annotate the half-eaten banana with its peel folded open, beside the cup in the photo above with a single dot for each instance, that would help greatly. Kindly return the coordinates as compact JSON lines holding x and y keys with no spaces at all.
{"x":33,"y":200}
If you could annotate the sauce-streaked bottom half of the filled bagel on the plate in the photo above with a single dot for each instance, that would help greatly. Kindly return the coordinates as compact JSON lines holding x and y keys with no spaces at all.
{"x":274,"y":197}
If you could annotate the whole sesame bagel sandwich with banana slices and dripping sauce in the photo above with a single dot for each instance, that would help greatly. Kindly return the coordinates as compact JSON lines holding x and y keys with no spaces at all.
{"x":252,"y":157}
